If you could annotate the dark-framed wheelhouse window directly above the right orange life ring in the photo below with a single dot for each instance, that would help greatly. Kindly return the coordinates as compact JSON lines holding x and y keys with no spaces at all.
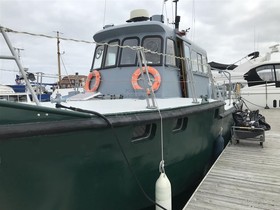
{"x":154,"y":44}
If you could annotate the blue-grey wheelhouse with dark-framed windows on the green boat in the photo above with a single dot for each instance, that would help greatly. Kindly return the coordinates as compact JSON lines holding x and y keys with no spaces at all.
{"x":182,"y":65}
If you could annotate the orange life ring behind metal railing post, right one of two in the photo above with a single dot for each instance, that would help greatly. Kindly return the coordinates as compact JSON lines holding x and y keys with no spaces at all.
{"x":152,"y":71}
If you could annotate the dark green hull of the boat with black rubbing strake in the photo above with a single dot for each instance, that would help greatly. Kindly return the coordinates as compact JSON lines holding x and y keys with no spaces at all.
{"x":72,"y":161}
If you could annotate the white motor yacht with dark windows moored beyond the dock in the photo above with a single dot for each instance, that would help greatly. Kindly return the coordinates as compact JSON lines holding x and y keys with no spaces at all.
{"x":255,"y":81}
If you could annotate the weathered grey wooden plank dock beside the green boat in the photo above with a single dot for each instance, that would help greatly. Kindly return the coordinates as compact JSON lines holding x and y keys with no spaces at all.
{"x":245,"y":176}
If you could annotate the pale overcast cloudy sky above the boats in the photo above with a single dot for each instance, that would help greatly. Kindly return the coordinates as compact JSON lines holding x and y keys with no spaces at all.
{"x":227,"y":29}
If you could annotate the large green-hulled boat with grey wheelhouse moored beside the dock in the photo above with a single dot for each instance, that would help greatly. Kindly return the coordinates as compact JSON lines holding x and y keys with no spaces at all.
{"x":148,"y":109}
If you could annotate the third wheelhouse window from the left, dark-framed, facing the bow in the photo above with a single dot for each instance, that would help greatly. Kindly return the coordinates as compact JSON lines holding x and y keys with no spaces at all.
{"x":128,"y":55}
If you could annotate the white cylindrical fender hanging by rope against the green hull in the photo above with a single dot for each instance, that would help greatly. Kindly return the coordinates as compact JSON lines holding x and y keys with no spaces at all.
{"x":163,"y":192}
